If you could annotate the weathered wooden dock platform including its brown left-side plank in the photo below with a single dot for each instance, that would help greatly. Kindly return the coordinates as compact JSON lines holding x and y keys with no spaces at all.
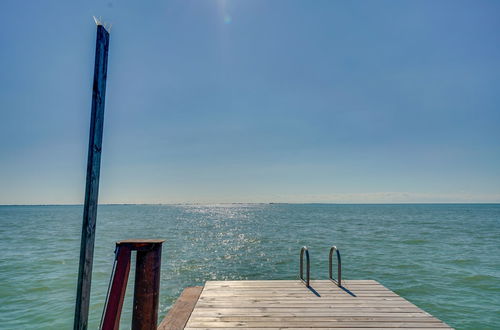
{"x":272,"y":305}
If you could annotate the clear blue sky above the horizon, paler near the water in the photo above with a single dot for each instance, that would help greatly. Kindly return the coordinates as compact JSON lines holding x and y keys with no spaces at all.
{"x":254,"y":101}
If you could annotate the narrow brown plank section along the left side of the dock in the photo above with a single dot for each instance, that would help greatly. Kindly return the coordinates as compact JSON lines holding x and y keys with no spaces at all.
{"x":181,"y":311}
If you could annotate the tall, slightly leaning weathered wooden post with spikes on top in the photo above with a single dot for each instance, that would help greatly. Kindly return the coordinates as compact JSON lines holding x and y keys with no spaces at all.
{"x":92,"y":183}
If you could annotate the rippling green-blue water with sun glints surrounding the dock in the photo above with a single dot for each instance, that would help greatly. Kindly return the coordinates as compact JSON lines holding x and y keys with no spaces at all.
{"x":443,"y":258}
